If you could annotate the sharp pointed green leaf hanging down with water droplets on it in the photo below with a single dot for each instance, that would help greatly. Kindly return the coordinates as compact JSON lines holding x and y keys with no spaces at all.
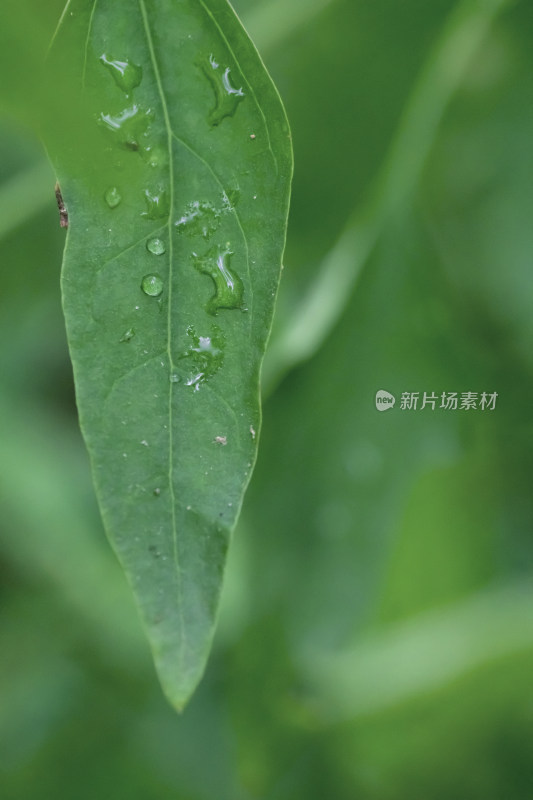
{"x":175,"y":172}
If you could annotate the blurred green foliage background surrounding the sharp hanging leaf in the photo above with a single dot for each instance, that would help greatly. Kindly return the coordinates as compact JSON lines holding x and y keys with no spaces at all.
{"x":376,"y":635}
